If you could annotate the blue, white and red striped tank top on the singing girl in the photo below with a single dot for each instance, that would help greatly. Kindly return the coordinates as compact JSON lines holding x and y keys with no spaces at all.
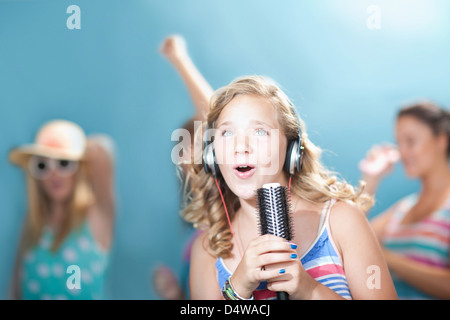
{"x":321,"y":261}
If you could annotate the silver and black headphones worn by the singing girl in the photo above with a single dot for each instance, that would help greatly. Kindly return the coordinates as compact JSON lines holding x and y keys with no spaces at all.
{"x":293,"y":161}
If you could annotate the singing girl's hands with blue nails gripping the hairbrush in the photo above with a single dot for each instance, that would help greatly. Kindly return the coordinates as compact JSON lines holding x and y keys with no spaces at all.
{"x":268,"y":258}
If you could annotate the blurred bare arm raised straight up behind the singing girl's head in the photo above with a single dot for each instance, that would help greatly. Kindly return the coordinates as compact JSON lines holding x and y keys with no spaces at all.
{"x":174,"y":49}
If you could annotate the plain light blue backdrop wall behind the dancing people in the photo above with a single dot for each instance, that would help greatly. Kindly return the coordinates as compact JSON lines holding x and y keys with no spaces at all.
{"x":347,"y":71}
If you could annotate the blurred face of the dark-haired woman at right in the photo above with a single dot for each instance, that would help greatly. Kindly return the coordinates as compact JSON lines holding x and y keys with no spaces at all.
{"x":419,"y":147}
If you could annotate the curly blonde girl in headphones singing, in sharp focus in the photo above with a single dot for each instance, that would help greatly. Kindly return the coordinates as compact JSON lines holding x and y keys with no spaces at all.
{"x":333,"y":254}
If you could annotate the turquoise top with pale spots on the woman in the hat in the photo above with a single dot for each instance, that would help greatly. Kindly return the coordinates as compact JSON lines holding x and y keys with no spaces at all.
{"x":76,"y":271}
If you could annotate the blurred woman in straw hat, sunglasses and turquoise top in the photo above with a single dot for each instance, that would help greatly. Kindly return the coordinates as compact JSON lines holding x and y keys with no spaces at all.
{"x":65,"y":241}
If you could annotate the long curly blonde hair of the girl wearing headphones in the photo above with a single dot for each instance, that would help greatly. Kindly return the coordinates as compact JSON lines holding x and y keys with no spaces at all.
{"x":203,"y":205}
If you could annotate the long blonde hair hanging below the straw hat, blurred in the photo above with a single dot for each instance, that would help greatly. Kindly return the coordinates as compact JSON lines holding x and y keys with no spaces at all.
{"x":81,"y":199}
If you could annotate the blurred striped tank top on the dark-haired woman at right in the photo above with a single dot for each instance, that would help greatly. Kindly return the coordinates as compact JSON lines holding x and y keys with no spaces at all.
{"x":426,"y":241}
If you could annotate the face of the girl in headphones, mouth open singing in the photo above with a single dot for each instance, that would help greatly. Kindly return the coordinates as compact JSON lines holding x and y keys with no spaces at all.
{"x":250,"y":146}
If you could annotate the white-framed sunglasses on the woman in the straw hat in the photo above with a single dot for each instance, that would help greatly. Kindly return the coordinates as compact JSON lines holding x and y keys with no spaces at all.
{"x":41,"y":167}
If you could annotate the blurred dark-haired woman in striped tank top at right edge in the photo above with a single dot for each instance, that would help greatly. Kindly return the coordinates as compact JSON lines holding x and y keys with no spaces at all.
{"x":415,"y":232}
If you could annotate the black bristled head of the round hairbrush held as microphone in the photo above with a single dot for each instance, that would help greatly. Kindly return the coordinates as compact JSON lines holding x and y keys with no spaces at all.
{"x":274,"y":211}
